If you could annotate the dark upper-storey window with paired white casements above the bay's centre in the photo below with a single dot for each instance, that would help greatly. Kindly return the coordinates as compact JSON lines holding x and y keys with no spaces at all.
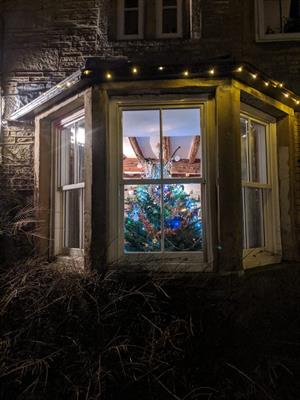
{"x":148,"y":19}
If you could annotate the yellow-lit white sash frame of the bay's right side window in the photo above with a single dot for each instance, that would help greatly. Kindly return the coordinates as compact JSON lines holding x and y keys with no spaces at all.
{"x":271,"y":252}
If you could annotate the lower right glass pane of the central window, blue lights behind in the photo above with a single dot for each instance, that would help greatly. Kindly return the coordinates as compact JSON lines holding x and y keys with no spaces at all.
{"x":183,"y":229}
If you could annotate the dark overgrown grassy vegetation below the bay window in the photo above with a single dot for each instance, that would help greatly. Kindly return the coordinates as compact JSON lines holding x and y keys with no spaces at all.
{"x":71,"y":335}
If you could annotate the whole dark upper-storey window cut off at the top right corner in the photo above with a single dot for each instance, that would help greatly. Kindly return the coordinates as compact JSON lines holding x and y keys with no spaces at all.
{"x":278,"y":20}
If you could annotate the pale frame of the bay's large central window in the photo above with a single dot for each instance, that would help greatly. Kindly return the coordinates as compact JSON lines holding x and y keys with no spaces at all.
{"x":174,"y":261}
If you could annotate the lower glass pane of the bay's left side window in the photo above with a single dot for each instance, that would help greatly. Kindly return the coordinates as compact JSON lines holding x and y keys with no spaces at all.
{"x":73,"y":218}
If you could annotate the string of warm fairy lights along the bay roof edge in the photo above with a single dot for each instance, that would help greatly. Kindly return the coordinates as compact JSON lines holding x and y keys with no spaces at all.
{"x":239,"y":70}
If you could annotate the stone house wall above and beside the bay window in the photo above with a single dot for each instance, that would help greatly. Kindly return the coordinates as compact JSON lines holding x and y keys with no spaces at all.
{"x":42,"y":42}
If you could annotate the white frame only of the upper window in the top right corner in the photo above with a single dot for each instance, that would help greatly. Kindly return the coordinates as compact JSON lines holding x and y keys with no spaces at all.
{"x":261,"y":36}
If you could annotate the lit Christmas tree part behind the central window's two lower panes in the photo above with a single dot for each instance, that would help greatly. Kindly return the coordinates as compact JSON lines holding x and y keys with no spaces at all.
{"x":143,"y":220}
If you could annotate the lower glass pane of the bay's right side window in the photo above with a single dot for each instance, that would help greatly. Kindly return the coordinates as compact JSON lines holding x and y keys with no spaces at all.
{"x":253,"y":218}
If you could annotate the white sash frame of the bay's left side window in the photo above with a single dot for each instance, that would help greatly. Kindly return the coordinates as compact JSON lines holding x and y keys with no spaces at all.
{"x":57,"y":218}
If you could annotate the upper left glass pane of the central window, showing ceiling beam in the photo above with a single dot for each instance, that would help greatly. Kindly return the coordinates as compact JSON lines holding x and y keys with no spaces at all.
{"x":141,"y":144}
